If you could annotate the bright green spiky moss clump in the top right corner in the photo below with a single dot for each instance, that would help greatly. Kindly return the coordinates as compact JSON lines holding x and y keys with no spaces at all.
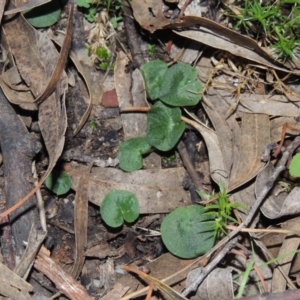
{"x":273,"y":23}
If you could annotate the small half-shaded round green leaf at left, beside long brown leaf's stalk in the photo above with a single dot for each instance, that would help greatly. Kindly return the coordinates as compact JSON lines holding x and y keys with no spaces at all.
{"x":58,"y":182}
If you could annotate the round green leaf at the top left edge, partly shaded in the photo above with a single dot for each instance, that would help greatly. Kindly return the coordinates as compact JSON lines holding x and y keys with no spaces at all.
{"x":44,"y":15}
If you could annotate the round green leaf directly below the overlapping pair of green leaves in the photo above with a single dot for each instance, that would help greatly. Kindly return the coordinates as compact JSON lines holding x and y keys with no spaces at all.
{"x":164,"y":126}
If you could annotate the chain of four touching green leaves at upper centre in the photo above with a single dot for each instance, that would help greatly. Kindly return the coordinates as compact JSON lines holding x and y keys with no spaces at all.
{"x":175,"y":86}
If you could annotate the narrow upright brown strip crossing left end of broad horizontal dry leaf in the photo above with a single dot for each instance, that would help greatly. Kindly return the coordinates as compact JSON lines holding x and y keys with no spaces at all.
{"x":81,"y":221}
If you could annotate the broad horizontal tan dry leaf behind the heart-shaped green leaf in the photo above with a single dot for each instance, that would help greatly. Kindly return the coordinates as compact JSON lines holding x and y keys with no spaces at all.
{"x":158,"y":191}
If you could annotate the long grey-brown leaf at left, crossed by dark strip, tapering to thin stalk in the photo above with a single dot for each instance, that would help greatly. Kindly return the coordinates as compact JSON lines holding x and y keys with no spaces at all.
{"x":35,"y":71}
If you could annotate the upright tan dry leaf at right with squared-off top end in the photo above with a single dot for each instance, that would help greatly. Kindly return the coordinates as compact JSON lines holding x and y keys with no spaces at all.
{"x":255,"y":135}
